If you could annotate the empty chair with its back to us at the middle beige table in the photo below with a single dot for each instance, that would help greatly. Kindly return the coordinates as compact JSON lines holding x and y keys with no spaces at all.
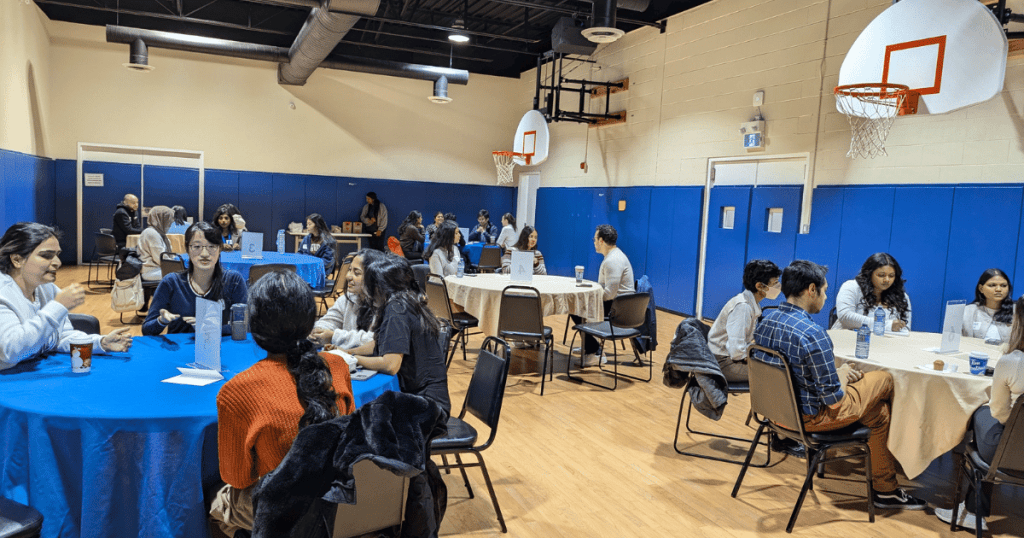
{"x":523,"y":320}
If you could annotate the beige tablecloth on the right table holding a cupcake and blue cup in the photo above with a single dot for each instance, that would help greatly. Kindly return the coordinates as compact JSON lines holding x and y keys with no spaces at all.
{"x":931,"y":409}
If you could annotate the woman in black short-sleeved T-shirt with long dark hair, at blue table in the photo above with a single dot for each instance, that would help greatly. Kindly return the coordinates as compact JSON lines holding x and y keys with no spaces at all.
{"x":408,"y":336}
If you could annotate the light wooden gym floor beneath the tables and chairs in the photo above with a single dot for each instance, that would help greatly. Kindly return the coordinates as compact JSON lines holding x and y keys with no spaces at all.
{"x":582,"y":462}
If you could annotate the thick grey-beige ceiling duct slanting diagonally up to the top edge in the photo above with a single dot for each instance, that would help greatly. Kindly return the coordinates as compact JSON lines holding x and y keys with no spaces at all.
{"x":322,"y":32}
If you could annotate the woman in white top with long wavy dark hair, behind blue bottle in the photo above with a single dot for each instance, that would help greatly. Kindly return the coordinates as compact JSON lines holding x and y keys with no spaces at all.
{"x":879,"y":284}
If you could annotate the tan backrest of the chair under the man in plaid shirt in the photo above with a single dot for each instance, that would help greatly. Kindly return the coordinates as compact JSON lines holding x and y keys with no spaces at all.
{"x":773,"y":394}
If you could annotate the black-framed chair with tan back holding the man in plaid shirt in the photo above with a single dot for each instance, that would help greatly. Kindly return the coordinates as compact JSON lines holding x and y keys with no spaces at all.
{"x":774,"y":403}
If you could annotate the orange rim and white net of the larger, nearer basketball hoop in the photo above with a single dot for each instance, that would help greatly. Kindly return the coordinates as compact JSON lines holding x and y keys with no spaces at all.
{"x":872,"y":110}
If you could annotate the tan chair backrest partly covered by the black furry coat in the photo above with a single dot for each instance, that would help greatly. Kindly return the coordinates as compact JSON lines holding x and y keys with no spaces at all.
{"x":380,"y":502}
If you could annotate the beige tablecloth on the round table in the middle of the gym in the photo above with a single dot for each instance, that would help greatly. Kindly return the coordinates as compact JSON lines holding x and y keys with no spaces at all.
{"x":482,"y":297}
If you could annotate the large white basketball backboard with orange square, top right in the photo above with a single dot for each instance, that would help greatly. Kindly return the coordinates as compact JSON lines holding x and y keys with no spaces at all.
{"x":953,"y":53}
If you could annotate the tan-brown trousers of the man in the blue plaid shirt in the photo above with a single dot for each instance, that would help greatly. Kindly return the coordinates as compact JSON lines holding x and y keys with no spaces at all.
{"x":869,"y":402}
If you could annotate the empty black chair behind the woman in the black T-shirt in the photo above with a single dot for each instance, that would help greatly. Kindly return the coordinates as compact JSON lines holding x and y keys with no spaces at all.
{"x":484,"y":400}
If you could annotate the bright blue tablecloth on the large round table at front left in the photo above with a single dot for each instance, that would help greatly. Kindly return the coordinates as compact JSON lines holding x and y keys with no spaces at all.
{"x":114,"y":452}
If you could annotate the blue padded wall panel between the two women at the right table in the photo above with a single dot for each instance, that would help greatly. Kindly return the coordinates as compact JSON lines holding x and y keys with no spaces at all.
{"x":920,"y":242}
